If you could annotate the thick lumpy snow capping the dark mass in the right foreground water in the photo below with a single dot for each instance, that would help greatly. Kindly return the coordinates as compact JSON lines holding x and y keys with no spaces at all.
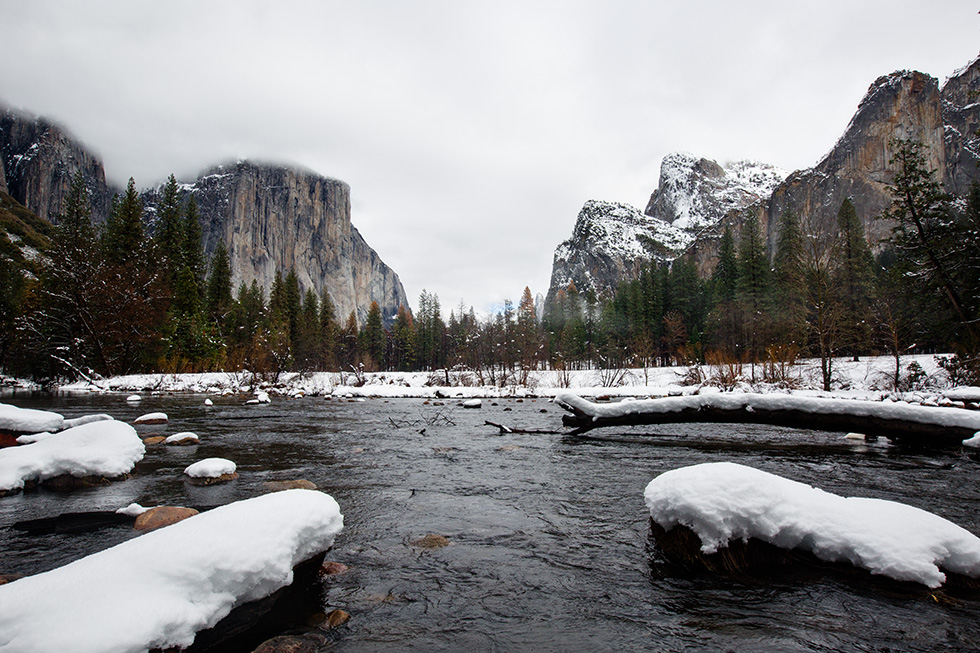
{"x":722,"y":502}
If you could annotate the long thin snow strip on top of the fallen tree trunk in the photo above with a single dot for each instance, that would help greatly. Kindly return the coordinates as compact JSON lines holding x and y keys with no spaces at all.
{"x":747,"y":401}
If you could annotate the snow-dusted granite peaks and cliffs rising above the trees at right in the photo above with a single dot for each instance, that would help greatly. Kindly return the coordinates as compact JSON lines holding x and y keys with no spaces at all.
{"x":699,"y":197}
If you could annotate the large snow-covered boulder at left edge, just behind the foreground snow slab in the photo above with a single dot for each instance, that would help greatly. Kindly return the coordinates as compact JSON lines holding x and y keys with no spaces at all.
{"x":108,"y":449}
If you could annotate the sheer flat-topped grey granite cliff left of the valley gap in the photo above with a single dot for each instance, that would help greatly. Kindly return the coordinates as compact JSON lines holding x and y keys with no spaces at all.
{"x":280,"y":218}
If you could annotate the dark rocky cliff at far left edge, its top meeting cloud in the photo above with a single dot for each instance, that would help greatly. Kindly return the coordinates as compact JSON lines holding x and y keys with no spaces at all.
{"x":39,"y":159}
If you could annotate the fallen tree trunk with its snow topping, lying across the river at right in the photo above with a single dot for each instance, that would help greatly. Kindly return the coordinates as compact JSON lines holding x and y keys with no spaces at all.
{"x":917,"y":425}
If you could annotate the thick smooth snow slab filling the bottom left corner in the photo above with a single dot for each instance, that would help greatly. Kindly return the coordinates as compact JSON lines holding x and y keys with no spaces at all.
{"x":149,"y":597}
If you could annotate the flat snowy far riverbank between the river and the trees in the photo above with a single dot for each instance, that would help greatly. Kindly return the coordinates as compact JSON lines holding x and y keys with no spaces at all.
{"x":869,"y":379}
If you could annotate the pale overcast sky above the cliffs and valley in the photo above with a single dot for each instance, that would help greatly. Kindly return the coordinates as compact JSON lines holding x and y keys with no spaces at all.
{"x":471,"y":133}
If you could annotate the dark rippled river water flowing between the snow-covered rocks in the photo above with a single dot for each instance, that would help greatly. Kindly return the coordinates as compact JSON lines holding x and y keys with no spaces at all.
{"x":550,"y":547}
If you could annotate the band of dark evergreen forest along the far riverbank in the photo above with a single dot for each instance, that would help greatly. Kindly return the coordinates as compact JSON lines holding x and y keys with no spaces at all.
{"x":115,"y":300}
